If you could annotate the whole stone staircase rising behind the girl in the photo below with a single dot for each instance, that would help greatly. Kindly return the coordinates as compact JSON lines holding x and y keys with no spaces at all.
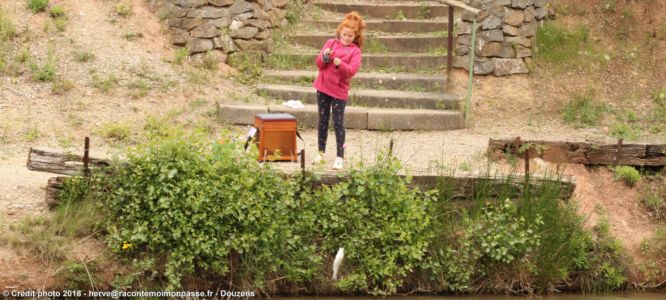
{"x":401,"y":84}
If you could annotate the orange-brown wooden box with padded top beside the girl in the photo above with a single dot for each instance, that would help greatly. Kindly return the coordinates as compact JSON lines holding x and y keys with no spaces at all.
{"x":276,"y":132}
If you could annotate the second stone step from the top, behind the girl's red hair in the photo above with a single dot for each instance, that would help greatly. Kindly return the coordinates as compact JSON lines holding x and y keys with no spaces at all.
{"x":386,"y":25}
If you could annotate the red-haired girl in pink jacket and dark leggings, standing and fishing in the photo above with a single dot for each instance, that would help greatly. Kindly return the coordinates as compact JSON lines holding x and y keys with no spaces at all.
{"x":338,"y":62}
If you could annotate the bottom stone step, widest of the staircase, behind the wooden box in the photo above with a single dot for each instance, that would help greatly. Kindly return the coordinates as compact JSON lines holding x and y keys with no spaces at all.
{"x":355,"y":117}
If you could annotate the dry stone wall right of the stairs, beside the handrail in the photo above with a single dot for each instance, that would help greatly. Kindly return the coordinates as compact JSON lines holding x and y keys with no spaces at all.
{"x":505,"y":35}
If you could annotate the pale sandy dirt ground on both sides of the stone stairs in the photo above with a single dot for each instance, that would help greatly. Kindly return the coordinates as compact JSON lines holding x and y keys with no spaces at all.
{"x":32,"y":115}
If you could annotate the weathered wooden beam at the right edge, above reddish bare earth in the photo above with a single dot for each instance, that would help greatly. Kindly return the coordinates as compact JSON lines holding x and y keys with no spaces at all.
{"x":586,"y":153}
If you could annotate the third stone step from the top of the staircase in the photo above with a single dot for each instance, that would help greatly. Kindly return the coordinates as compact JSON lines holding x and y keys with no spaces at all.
{"x":386,"y":43}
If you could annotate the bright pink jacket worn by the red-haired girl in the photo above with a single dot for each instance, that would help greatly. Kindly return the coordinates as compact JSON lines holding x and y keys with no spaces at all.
{"x":334,"y":81}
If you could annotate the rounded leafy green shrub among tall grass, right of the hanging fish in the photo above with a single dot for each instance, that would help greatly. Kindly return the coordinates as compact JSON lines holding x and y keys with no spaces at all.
{"x":502,"y":237}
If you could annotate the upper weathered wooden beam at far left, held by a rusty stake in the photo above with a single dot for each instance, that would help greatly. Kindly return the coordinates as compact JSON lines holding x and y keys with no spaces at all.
{"x":61,"y":162}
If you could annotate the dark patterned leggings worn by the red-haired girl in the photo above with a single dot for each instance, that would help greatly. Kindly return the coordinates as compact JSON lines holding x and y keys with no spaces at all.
{"x":325,"y":102}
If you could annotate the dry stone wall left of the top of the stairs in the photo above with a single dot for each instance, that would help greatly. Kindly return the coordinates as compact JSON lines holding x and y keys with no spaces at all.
{"x":221,"y":25}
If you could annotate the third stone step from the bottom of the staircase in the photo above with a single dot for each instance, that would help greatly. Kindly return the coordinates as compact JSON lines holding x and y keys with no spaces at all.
{"x":394,"y":81}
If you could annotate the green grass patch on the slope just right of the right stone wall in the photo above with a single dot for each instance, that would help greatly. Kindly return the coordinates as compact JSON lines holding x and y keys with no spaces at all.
{"x":558,"y":45}
